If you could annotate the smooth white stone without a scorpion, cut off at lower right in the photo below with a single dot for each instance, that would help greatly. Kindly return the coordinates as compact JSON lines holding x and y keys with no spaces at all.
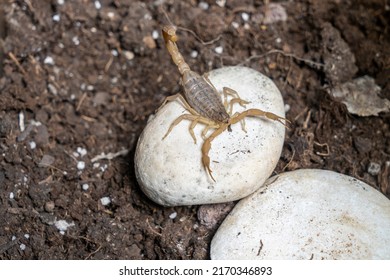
{"x":307,"y":214}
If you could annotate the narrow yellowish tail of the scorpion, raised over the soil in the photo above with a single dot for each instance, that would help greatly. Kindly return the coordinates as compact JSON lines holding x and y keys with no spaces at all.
{"x":170,"y":38}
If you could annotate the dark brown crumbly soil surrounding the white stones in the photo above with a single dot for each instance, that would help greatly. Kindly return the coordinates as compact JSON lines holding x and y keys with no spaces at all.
{"x":68,"y":69}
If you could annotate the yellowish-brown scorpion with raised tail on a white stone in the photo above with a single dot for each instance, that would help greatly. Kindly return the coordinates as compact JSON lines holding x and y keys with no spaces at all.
{"x":203,"y":102}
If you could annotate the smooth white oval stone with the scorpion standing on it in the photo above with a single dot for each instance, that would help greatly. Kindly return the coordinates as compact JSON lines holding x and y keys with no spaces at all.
{"x":170,"y":171}
